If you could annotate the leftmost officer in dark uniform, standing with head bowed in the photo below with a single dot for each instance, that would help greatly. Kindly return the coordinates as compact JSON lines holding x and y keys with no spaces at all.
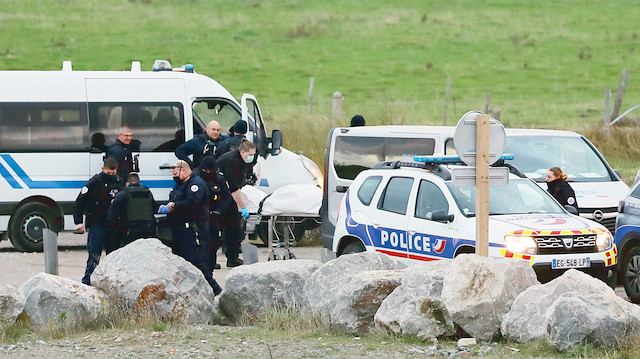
{"x":92,"y":202}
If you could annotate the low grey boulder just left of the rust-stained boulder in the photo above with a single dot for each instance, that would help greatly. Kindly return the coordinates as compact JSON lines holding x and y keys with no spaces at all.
{"x":56,"y":300}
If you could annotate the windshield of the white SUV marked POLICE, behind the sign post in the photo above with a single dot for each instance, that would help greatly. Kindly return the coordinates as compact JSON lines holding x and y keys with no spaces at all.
{"x":518,"y":197}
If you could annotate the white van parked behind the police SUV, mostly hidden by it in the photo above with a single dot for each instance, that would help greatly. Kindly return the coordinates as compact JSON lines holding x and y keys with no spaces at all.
{"x":349,"y":151}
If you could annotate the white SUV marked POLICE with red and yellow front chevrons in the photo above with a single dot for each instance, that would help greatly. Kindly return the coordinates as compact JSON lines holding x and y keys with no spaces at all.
{"x":413,"y":212}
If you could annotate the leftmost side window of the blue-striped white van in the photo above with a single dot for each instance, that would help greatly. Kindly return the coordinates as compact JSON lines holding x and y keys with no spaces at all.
{"x":43,"y":127}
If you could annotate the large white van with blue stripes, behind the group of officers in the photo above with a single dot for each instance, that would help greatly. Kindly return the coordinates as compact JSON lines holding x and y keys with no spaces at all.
{"x":56,"y":125}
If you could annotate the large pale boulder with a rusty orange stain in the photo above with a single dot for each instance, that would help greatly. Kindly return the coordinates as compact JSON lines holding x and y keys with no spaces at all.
{"x":146,"y":274}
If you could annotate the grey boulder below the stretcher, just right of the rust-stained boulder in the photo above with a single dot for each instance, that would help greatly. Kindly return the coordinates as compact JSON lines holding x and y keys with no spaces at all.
{"x":255,"y":287}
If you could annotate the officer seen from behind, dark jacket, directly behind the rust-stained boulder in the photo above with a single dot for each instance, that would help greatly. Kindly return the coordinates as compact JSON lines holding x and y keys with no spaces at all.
{"x":132,"y":211}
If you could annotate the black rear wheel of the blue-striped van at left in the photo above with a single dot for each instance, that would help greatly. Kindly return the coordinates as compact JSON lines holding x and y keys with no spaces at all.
{"x":26,"y":226}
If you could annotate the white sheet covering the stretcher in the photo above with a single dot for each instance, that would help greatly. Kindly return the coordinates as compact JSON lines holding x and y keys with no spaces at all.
{"x":294,"y":199}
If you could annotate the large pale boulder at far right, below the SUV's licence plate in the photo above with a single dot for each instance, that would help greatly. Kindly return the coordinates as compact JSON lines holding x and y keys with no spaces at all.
{"x":570,"y":309}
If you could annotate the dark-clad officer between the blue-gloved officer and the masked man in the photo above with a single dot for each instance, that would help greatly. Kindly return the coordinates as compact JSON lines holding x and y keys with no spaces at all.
{"x":220,"y":204}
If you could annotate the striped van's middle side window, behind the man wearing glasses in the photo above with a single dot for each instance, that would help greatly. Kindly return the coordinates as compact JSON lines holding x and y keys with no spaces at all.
{"x":155,"y":127}
